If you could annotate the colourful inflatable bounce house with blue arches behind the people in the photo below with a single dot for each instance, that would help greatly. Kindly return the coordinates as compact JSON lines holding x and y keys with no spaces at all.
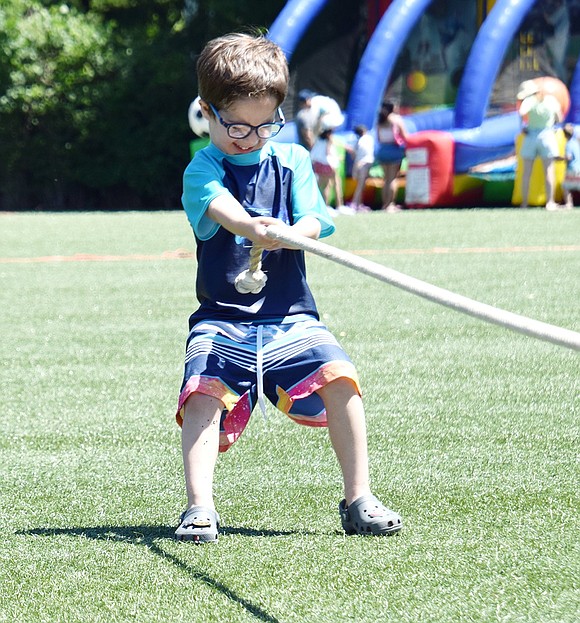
{"x":453,"y":67}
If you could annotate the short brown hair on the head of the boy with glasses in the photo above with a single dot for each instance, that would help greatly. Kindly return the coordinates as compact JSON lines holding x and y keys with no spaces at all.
{"x":238,"y":66}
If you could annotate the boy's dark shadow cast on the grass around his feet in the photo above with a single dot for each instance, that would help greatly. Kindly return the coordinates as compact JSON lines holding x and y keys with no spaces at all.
{"x":150,"y":536}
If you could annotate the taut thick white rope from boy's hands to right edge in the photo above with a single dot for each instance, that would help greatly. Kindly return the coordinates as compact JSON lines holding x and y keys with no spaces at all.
{"x":528,"y":326}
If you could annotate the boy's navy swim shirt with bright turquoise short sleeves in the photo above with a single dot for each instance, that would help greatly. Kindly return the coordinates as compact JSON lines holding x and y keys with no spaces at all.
{"x":276,"y":181}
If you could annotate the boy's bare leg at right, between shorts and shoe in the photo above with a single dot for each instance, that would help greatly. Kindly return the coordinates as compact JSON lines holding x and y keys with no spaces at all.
{"x":347,"y":430}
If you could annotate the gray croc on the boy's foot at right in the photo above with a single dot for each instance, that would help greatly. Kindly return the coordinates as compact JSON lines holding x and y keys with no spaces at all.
{"x":366,"y":515}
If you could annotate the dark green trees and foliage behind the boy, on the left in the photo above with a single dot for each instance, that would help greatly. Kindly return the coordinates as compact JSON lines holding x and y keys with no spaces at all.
{"x":94,"y":97}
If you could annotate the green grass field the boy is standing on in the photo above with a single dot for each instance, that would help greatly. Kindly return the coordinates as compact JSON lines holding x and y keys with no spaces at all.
{"x":474,"y":432}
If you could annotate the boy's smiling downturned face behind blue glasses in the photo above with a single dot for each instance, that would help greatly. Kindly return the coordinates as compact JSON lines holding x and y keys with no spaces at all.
{"x":249,"y":111}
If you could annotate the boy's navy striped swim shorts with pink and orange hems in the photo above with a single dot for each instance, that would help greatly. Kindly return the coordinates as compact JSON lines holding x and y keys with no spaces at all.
{"x":287,"y":362}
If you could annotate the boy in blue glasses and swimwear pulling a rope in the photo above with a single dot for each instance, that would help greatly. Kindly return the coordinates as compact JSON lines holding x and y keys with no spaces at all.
{"x":242,"y":347}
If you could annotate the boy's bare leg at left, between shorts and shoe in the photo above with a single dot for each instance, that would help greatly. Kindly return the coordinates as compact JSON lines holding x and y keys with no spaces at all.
{"x":200,"y":447}
